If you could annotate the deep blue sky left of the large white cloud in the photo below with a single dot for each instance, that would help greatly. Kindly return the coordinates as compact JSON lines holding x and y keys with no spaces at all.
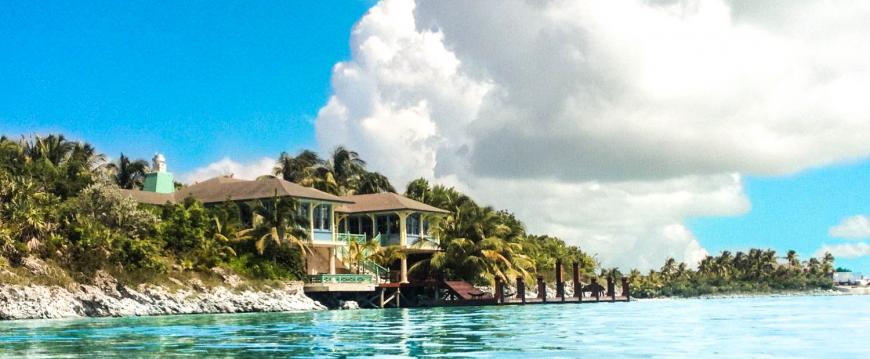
{"x":198,"y":80}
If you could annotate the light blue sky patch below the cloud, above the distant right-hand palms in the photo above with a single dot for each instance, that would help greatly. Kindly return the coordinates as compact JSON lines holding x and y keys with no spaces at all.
{"x":793,"y":212}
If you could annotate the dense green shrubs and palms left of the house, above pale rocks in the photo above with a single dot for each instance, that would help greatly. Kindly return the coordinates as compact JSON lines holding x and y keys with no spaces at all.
{"x":60,"y":201}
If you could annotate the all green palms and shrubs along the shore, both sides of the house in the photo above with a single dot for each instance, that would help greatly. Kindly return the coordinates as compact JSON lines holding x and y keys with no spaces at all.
{"x":61,"y":202}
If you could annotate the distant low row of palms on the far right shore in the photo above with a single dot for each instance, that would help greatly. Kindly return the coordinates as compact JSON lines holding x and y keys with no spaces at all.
{"x":755,"y":271}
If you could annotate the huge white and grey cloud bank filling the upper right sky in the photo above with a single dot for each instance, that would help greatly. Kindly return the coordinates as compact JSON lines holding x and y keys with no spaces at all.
{"x":607,"y":123}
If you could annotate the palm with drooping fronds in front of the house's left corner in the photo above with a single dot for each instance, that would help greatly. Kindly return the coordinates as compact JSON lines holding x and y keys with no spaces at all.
{"x":281,"y":225}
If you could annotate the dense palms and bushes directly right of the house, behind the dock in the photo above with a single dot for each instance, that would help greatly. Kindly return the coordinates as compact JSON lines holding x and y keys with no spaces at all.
{"x":480,"y":244}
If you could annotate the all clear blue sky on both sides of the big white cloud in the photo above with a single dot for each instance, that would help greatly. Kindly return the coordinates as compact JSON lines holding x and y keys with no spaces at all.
{"x":204,"y":80}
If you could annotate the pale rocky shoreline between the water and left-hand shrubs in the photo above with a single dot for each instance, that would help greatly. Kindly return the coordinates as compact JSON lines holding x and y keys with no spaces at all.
{"x":109,"y":298}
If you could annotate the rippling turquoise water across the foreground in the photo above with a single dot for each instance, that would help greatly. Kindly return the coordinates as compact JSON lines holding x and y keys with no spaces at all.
{"x":811,"y":327}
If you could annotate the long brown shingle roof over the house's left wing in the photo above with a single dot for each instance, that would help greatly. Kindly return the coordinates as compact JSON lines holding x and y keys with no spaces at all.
{"x":220,"y":189}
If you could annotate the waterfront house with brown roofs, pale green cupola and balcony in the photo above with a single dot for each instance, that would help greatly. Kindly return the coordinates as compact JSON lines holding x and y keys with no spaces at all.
{"x":334,"y":221}
